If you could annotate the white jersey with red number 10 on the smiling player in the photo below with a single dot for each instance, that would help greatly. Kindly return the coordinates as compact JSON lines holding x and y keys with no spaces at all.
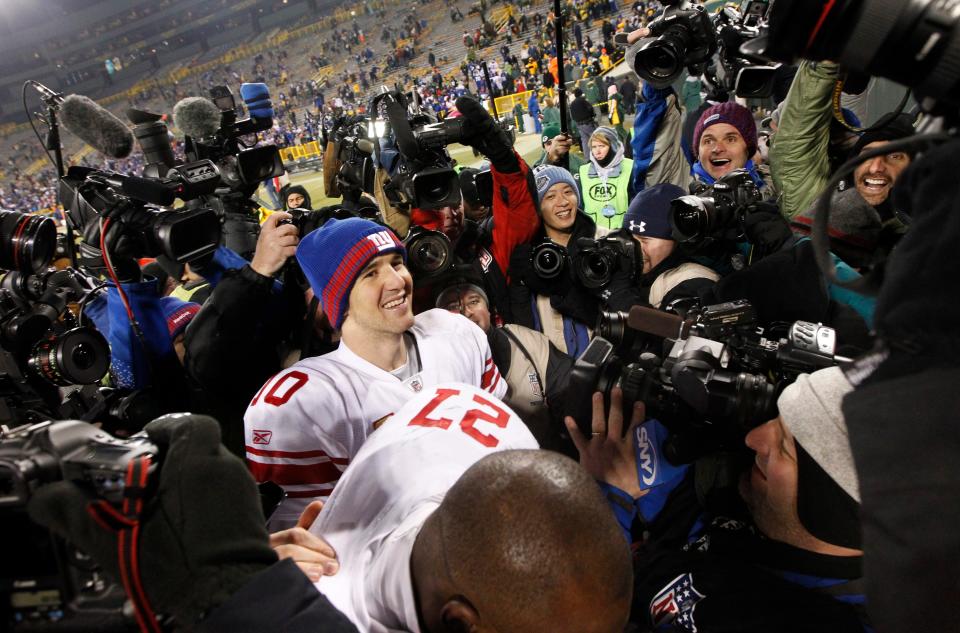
{"x":308,"y":421}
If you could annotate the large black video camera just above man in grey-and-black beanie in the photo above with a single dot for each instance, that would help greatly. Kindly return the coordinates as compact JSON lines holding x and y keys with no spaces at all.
{"x":718,"y":376}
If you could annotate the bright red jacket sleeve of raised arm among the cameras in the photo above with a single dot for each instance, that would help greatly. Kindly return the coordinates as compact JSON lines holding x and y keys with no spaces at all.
{"x":515,"y":217}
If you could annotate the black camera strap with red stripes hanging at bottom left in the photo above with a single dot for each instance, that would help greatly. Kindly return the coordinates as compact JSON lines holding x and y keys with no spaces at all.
{"x":126,"y":524}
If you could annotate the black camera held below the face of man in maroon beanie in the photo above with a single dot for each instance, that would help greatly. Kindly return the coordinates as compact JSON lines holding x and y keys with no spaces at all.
{"x":716,"y":212}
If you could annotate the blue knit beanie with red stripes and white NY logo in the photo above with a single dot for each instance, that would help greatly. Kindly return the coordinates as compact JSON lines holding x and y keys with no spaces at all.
{"x":332,"y":256}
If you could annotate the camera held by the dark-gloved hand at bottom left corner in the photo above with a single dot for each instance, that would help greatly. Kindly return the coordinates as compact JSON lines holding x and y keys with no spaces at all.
{"x":47,"y":584}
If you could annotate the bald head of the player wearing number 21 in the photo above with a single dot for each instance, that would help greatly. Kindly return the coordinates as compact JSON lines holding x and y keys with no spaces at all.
{"x":525,"y":541}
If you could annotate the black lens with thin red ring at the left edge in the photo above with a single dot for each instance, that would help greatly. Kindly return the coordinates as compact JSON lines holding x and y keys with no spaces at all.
{"x":27,"y":242}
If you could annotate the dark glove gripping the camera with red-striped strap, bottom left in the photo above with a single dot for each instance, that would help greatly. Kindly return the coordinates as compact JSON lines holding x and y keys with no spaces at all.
{"x":202,"y":533}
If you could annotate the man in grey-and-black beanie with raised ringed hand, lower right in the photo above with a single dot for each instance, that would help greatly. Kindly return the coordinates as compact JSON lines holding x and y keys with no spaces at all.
{"x":797,"y":562}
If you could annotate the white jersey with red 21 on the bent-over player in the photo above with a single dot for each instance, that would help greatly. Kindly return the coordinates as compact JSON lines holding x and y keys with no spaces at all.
{"x":394,"y":483}
